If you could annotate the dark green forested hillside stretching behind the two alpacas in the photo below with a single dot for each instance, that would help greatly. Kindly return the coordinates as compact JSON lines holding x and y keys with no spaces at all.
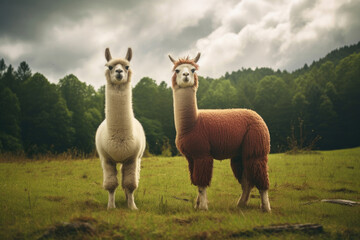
{"x":316,"y":106}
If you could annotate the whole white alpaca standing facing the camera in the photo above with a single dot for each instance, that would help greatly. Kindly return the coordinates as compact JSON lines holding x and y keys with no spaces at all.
{"x":120,"y":138}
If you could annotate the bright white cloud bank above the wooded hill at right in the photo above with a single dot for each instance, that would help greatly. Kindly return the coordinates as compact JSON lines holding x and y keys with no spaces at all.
{"x":276,"y":34}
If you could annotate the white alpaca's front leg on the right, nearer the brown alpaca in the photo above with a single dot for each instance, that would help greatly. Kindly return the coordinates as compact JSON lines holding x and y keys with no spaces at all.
{"x":130,"y":180}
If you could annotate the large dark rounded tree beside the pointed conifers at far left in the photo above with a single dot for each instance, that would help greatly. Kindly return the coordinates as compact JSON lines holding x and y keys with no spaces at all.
{"x":45,"y":118}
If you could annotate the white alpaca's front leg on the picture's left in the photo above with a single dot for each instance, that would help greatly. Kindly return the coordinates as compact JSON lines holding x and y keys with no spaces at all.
{"x":110,"y":181}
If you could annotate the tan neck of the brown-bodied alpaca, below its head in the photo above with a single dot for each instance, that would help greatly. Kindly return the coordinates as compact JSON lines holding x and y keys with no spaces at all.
{"x":185,"y":109}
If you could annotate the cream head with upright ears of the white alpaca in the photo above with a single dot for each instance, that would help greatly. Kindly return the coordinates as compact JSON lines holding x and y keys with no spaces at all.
{"x":118,"y":69}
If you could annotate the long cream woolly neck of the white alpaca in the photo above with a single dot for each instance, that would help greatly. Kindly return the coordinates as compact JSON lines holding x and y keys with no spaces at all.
{"x":118,"y":110}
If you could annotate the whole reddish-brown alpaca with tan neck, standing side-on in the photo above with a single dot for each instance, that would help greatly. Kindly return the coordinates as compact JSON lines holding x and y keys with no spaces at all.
{"x":204,"y":135}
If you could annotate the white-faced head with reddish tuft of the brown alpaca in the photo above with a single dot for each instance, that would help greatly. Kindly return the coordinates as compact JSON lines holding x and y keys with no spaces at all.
{"x":185,"y":72}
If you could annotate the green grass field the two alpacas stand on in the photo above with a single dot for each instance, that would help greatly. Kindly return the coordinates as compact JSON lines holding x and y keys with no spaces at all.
{"x":38,"y":196}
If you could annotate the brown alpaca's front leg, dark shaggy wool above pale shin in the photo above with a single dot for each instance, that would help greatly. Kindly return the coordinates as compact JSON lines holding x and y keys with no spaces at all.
{"x":201,"y":177}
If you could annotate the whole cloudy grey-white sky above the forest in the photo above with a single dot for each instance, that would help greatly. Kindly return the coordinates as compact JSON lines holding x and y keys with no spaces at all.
{"x":57,"y":38}
